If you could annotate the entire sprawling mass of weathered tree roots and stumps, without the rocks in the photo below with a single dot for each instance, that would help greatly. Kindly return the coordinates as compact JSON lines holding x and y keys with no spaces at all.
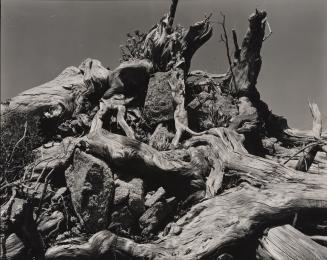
{"x":254,"y":193}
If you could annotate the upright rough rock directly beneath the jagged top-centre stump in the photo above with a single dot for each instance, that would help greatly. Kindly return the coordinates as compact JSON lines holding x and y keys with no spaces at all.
{"x":158,"y":105}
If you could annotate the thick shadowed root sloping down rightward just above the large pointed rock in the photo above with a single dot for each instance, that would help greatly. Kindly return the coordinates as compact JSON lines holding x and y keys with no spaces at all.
{"x":166,"y":167}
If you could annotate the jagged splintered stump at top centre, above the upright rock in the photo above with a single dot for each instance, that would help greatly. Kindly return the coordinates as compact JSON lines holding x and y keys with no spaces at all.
{"x":168,"y":47}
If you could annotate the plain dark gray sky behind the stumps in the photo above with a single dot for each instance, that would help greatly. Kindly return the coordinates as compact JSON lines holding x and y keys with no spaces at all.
{"x":39,"y":38}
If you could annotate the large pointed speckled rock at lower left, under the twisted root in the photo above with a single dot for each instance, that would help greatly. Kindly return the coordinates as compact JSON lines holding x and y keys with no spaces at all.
{"x":91,"y":185}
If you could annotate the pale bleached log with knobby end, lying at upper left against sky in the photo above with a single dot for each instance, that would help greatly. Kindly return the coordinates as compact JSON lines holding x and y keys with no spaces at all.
{"x":65,"y":95}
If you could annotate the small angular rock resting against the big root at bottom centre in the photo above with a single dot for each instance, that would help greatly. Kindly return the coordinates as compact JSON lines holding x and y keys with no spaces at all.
{"x":155,"y":216}
